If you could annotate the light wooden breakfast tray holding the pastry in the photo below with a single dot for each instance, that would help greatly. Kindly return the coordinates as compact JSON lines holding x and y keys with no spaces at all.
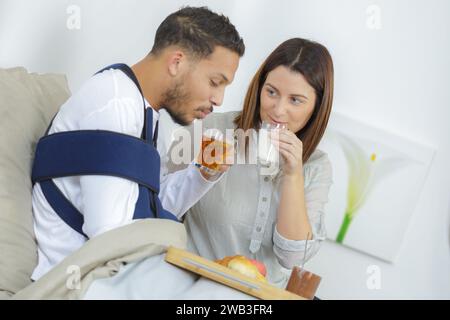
{"x":226,"y":276}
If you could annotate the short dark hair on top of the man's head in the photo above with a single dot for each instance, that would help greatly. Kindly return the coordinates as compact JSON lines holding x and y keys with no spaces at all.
{"x":198,"y":30}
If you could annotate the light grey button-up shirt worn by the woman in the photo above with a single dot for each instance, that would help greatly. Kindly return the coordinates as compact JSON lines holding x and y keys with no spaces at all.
{"x":239,"y":214}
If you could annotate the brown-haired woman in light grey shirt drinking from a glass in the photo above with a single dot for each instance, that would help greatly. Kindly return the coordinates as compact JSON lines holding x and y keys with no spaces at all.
{"x":270,"y":217}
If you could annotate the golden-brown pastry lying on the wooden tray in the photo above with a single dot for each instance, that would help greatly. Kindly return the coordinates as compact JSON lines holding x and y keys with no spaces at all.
{"x":248,"y":267}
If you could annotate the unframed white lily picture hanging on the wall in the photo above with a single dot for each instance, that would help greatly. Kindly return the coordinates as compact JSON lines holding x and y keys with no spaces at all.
{"x":378,"y":177}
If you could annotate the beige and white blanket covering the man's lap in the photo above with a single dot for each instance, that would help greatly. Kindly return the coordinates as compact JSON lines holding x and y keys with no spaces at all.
{"x":127,"y":263}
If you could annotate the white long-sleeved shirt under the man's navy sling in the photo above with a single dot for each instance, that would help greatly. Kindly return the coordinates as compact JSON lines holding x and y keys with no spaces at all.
{"x":107,"y":101}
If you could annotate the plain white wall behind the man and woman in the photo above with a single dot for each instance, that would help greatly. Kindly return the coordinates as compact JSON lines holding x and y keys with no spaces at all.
{"x":396,"y":78}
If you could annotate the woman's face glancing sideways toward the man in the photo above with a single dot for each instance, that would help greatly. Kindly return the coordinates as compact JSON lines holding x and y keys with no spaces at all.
{"x":286,"y":97}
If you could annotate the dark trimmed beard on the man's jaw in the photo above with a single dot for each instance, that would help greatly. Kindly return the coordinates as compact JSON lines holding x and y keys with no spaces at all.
{"x":174,"y":100}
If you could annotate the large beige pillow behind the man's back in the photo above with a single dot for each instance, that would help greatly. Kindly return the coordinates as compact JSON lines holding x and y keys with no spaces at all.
{"x":27,"y":104}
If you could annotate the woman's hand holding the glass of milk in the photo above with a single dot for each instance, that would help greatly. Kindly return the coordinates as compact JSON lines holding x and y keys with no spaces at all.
{"x":291,"y":149}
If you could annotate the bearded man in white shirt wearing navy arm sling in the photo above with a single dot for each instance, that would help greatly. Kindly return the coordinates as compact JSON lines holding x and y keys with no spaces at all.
{"x":91,"y":171}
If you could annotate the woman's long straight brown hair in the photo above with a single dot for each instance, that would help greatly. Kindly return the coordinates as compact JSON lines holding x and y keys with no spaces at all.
{"x":314,"y":62}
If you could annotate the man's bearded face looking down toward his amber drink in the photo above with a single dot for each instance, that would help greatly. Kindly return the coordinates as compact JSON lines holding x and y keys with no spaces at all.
{"x":201,"y":86}
